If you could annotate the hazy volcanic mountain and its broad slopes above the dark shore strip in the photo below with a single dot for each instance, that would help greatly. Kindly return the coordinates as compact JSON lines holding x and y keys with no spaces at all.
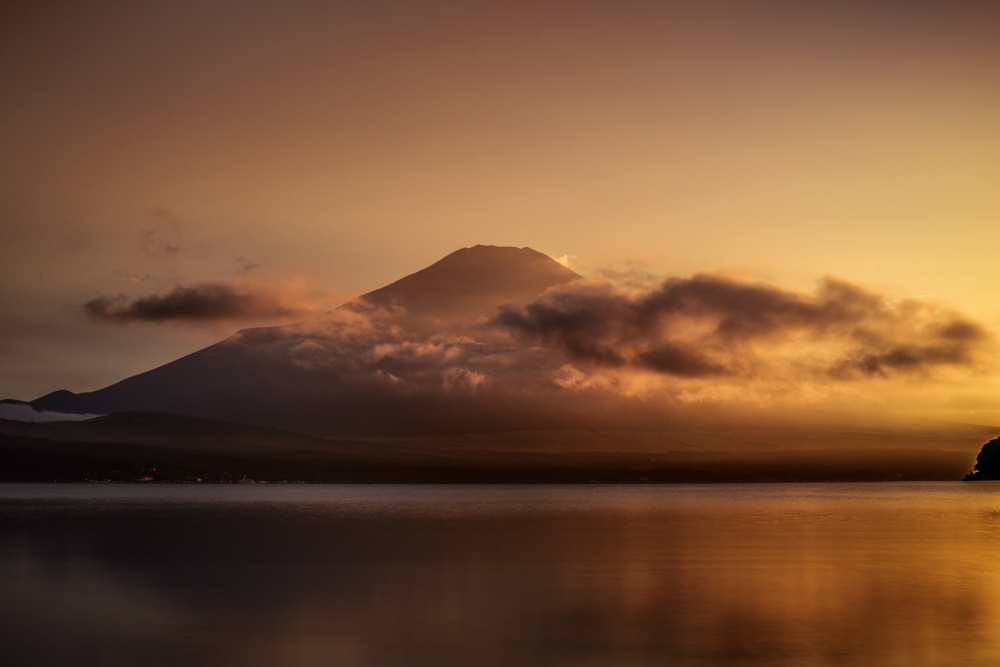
{"x":425,"y":361}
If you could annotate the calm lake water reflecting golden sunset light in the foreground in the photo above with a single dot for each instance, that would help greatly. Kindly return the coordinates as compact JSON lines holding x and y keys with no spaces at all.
{"x":836,"y":574}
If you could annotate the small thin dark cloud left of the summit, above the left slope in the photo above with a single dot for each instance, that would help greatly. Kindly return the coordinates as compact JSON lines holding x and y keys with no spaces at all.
{"x":199,"y":302}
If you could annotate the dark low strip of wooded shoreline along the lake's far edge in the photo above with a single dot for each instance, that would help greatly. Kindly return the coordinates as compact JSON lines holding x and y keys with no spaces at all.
{"x":24,"y":459}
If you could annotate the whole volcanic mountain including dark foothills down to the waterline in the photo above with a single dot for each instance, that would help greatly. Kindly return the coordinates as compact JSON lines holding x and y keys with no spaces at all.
{"x":420,"y":381}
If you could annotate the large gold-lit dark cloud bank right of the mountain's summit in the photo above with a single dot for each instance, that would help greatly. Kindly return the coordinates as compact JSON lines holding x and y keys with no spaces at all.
{"x":709,"y":326}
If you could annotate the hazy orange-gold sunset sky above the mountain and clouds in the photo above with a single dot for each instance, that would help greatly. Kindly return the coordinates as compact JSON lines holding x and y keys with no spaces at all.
{"x":343,"y":145}
